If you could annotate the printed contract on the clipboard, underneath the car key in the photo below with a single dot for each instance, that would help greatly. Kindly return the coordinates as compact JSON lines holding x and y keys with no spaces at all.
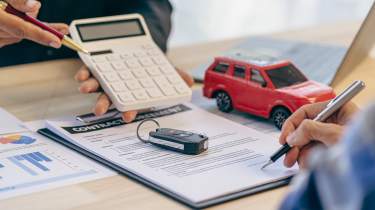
{"x":232,"y":163}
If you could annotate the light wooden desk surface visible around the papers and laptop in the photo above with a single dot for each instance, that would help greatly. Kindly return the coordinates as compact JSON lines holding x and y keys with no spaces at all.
{"x":45,"y":90}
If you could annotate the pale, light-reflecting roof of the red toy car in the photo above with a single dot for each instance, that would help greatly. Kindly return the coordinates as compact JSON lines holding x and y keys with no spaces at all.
{"x":257,"y":60}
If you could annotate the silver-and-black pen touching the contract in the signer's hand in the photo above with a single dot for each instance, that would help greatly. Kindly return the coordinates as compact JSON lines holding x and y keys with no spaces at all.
{"x":334,"y":105}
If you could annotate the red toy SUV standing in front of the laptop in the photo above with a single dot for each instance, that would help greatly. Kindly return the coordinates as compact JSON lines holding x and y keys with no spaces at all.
{"x":268,"y":89}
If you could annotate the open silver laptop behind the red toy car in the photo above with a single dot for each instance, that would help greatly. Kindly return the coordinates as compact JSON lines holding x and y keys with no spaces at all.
{"x":320,"y":62}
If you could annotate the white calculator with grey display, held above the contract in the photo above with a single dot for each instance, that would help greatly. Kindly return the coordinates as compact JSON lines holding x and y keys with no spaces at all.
{"x":129,"y":66}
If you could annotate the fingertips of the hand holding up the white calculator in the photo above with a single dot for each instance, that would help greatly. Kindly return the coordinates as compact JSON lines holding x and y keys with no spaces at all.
{"x":90,"y":85}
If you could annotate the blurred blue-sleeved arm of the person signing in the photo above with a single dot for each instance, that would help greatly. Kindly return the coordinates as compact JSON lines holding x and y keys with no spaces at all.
{"x":339,"y":177}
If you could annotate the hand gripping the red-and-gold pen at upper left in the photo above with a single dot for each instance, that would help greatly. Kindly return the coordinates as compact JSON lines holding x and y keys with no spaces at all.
{"x":13,"y":29}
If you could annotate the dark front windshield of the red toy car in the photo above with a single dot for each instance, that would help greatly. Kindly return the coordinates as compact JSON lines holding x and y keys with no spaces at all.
{"x":286,"y":76}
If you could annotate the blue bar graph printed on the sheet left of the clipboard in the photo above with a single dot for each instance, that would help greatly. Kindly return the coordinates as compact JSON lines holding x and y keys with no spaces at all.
{"x":35,"y":158}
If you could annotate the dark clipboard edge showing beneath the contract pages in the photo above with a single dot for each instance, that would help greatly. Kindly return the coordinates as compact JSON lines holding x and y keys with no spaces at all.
{"x":204,"y":204}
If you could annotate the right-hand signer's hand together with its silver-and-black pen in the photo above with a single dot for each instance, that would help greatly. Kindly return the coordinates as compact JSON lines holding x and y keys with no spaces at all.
{"x":320,"y":123}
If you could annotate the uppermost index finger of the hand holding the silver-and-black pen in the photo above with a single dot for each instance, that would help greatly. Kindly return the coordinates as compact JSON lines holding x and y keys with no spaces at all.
{"x":305,"y":112}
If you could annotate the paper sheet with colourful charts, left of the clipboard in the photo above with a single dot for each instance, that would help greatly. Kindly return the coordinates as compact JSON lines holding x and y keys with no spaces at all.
{"x":30,"y":163}
